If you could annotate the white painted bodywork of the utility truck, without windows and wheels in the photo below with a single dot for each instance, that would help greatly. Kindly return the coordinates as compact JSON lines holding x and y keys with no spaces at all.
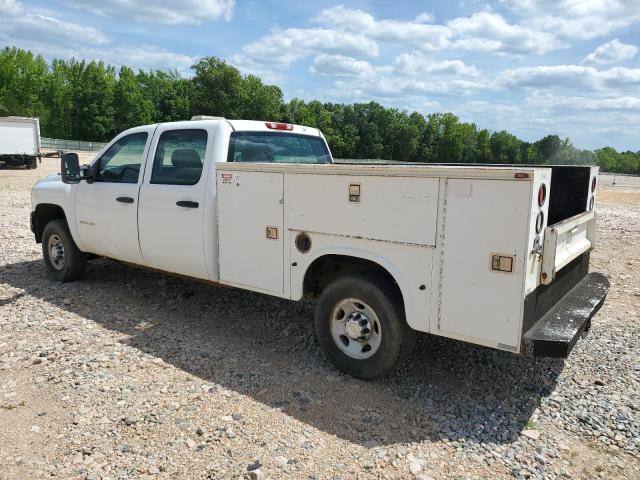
{"x":468,"y":247}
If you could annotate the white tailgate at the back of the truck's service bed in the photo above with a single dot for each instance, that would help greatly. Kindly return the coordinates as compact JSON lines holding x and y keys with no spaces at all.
{"x":566,"y":241}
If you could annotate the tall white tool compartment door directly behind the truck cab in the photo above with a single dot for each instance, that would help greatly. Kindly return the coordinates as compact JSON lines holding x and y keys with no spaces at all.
{"x":250,"y":230}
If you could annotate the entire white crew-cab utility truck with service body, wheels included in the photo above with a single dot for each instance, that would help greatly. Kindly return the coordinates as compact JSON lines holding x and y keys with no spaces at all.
{"x":493,"y":255}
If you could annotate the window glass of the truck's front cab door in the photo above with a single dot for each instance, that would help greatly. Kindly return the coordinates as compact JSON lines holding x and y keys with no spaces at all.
{"x":121,"y":163}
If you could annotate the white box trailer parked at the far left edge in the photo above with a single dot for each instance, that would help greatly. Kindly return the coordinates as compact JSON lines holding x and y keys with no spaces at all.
{"x":19,"y":141}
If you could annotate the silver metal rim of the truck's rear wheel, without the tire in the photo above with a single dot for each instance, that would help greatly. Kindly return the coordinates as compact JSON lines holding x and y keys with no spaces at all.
{"x":355,"y":328}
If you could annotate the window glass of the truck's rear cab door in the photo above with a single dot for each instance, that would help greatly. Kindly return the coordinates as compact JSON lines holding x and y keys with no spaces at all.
{"x":178,"y":158}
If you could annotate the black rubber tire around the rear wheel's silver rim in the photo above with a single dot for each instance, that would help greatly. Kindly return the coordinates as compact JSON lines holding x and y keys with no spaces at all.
{"x":397,"y":338}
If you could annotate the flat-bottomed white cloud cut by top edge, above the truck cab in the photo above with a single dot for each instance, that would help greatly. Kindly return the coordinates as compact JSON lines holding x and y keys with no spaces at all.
{"x":160,"y":11}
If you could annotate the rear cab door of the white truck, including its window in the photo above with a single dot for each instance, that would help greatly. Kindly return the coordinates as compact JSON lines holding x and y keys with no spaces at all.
{"x":171,"y":205}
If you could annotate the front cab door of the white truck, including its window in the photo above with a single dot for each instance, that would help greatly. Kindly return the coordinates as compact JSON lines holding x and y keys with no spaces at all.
{"x":107,"y":209}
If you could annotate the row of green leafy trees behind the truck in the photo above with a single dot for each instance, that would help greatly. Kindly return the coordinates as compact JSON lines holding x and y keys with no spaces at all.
{"x":93,"y":101}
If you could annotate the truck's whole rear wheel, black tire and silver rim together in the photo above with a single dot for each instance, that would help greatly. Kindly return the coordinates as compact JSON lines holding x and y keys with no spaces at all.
{"x":360,"y":325}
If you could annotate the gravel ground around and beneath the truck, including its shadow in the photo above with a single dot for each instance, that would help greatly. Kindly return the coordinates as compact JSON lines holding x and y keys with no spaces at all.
{"x":133,"y":374}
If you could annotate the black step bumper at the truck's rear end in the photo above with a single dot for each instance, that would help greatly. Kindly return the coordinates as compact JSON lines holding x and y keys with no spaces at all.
{"x":557,"y":331}
